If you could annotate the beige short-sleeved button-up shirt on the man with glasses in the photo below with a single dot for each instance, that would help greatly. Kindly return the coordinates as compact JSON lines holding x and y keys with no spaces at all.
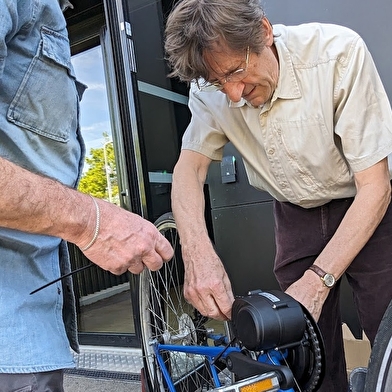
{"x":328,"y":118}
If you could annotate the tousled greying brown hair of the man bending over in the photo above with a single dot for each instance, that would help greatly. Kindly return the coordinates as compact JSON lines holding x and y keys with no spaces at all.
{"x":194,"y":26}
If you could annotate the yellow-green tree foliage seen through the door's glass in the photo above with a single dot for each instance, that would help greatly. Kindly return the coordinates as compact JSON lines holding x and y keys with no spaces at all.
{"x":100,"y":178}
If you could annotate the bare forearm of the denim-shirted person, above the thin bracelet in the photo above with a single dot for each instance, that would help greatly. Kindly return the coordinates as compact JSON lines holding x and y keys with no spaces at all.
{"x":38,"y":204}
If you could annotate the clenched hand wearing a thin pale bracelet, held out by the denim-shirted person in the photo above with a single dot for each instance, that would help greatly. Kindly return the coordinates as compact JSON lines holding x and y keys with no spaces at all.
{"x":125,"y":241}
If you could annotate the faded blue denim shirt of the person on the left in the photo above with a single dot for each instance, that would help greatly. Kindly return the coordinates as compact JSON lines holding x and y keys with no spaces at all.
{"x":39,"y":130}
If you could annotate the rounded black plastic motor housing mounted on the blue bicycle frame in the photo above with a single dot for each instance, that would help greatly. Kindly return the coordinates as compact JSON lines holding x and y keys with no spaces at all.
{"x":265,"y":320}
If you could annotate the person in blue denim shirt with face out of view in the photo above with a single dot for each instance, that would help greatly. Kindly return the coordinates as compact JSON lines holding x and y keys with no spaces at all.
{"x":41,"y":157}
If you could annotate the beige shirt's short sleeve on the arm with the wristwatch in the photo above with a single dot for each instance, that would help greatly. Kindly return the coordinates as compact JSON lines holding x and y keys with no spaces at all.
{"x":363,"y":110}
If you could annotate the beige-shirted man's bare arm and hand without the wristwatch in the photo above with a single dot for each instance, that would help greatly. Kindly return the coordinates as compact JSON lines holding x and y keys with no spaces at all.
{"x":207,"y":285}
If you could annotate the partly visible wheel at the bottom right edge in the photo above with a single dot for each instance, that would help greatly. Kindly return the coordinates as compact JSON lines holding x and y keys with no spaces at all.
{"x":379,"y":374}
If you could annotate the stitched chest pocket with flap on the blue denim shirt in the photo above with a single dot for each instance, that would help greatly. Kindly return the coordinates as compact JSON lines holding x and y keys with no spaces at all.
{"x":47,"y":99}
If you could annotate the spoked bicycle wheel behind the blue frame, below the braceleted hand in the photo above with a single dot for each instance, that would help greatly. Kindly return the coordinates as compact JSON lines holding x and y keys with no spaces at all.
{"x":167,"y":318}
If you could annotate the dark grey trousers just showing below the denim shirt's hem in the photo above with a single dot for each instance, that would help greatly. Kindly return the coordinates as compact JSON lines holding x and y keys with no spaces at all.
{"x":32,"y":382}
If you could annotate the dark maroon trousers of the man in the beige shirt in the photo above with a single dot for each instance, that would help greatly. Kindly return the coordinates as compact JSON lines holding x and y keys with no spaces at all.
{"x":301,"y":234}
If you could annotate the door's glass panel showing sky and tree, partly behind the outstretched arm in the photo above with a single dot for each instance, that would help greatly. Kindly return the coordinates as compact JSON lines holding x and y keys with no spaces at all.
{"x":103,"y":299}
